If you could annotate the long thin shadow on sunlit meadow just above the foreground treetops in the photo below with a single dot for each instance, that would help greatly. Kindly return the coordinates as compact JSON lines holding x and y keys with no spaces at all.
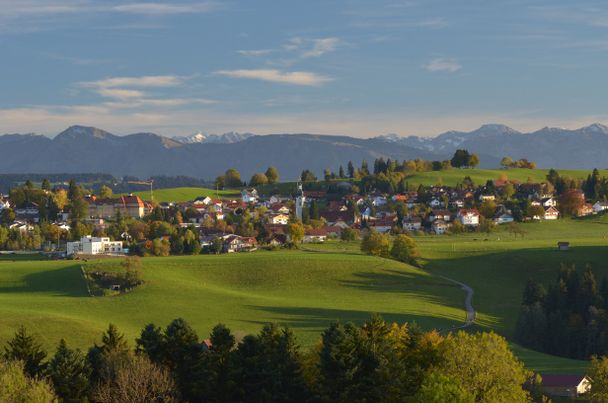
{"x":303,"y":317}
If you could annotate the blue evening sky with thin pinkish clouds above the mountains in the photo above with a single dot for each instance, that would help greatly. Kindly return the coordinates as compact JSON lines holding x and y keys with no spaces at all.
{"x":353,"y":67}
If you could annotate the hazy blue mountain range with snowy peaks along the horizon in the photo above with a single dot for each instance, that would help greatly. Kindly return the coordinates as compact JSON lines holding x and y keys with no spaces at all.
{"x":81,"y":149}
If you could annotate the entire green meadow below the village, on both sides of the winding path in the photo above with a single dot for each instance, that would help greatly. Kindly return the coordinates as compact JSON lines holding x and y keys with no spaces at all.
{"x":308,"y":289}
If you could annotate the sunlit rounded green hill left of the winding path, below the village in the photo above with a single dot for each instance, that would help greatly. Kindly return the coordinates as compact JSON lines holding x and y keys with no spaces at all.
{"x":302,"y":290}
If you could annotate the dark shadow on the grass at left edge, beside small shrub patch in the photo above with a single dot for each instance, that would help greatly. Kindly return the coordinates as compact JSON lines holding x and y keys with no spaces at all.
{"x":65,"y":281}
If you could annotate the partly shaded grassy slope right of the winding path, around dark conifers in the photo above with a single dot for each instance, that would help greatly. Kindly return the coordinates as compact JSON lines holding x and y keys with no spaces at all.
{"x":497,"y":266}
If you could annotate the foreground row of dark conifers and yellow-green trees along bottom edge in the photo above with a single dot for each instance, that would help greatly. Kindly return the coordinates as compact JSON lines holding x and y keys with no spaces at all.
{"x":374,"y":362}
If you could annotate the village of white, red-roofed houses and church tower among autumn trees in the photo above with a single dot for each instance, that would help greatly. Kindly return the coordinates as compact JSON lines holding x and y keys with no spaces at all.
{"x":122,"y":224}
